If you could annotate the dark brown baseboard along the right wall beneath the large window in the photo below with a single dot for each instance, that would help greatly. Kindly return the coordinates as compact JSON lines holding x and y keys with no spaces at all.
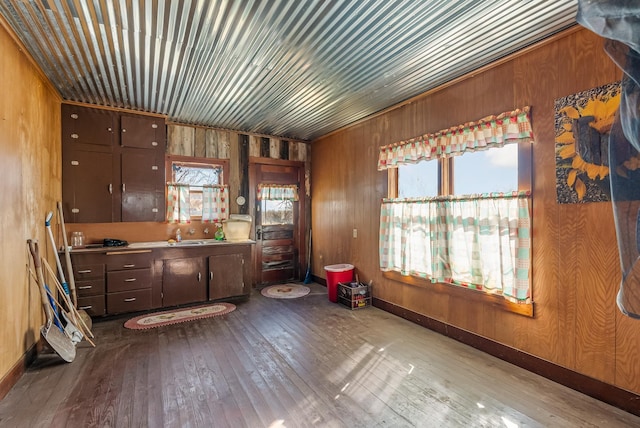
{"x":607,"y":393}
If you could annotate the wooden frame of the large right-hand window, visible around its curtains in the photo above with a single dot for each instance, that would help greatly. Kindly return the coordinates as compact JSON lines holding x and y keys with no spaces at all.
{"x":445,"y":187}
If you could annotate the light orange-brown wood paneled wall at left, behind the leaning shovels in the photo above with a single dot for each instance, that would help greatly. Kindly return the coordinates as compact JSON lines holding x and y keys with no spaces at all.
{"x":30,"y":161}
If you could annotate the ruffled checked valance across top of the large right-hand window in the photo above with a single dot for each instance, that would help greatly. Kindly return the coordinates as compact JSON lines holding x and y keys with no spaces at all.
{"x":492,"y":131}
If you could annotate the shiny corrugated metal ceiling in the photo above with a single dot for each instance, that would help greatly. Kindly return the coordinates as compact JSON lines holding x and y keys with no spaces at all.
{"x":292,"y":68}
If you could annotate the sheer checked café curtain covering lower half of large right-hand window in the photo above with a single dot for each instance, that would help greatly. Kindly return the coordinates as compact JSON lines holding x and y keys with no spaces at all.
{"x":477,"y":241}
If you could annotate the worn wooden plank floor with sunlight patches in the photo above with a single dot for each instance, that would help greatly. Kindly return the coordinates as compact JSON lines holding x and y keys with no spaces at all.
{"x":291,"y":363}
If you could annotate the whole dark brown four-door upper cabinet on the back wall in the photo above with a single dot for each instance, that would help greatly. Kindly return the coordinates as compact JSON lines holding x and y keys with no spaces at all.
{"x":113,"y":166}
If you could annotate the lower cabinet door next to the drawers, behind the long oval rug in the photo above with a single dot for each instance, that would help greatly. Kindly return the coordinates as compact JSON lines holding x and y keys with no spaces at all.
{"x":183,"y":281}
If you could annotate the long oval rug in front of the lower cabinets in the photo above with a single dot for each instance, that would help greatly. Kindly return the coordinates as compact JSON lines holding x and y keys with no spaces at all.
{"x":175,"y":316}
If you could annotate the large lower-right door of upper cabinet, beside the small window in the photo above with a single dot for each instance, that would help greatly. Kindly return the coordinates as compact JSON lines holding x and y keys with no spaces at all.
{"x":143,"y":181}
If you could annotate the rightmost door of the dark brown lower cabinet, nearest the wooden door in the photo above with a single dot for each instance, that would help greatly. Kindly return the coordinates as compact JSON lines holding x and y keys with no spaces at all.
{"x":226,"y":276}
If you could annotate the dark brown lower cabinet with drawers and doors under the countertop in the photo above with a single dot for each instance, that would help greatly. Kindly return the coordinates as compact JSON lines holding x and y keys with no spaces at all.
{"x":120,"y":280}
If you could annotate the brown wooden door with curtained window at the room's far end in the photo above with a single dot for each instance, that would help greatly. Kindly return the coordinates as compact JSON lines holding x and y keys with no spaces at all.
{"x":279,"y":225}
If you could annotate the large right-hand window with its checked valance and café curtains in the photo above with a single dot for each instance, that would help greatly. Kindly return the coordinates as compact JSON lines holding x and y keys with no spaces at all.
{"x":458,"y":209}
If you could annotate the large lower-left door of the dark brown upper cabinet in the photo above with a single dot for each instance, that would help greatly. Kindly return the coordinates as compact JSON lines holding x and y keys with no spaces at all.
{"x":87,"y":186}
